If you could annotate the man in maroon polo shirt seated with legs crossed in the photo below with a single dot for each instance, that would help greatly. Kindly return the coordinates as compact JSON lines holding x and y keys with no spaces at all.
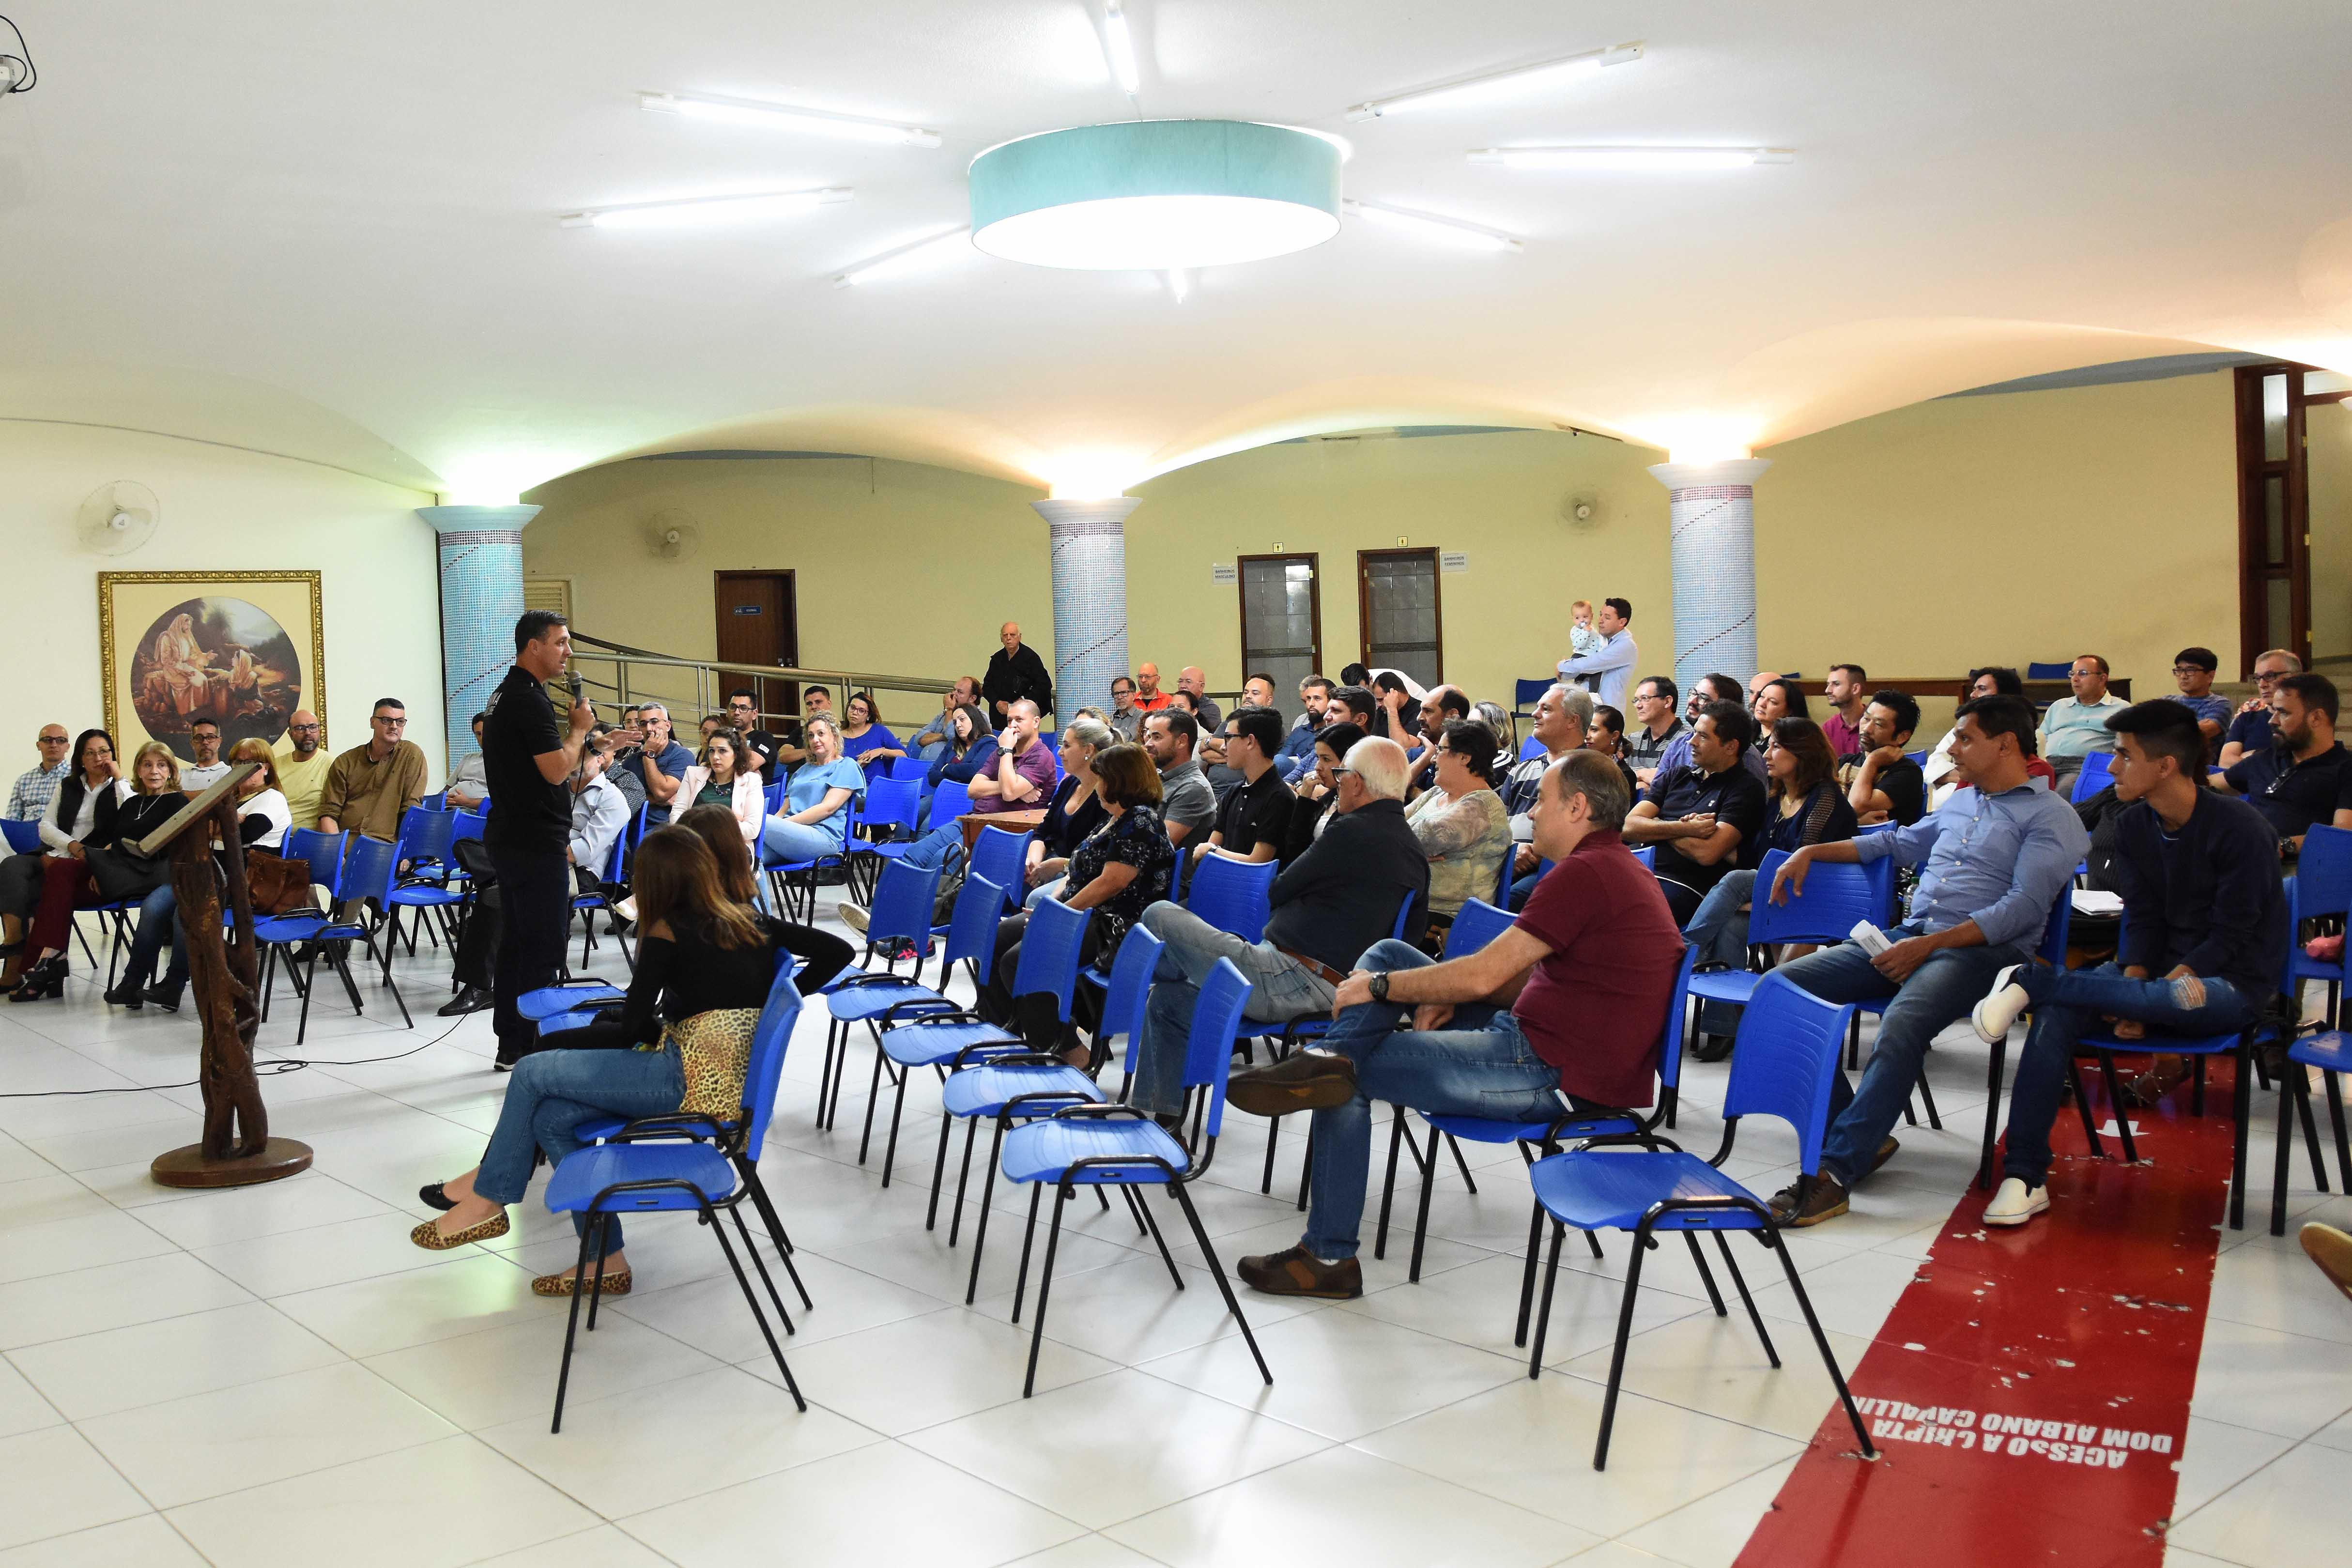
{"x":1563,"y":1012}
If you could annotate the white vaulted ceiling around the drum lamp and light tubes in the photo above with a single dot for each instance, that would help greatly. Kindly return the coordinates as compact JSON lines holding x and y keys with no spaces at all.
{"x":333,"y":232}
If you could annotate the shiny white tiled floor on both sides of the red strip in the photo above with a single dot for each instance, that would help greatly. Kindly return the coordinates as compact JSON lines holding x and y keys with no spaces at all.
{"x":276,"y":1376}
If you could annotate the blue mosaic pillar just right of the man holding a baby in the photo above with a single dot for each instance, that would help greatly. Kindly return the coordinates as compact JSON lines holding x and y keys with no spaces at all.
{"x":1716,"y":565}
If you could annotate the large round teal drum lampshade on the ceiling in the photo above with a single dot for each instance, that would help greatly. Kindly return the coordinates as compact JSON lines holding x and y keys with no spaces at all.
{"x":1156,"y":194}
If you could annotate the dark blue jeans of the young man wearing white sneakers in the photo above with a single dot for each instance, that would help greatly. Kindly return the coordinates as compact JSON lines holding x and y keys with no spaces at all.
{"x":2076,"y":1000}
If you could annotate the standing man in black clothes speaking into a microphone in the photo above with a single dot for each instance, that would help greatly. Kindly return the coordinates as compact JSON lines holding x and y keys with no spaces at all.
{"x":528,"y":765}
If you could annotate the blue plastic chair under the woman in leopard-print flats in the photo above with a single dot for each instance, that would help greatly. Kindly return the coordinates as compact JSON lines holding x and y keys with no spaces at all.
{"x":683,"y":1165}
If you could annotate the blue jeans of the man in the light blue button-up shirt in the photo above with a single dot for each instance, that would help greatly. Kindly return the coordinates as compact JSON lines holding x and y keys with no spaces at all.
{"x":1937,"y":996}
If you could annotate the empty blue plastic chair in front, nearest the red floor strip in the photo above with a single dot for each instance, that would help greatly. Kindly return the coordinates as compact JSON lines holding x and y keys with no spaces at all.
{"x":1784,"y":1068}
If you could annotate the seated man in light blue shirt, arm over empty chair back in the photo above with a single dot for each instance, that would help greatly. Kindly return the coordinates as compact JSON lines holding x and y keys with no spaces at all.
{"x":1996,"y":859}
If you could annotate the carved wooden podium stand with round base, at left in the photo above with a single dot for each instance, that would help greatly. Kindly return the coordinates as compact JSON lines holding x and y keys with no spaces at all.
{"x":227,"y":981}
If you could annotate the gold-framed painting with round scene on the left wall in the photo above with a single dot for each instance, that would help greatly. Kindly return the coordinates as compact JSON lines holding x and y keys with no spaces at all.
{"x":236,"y":648}
